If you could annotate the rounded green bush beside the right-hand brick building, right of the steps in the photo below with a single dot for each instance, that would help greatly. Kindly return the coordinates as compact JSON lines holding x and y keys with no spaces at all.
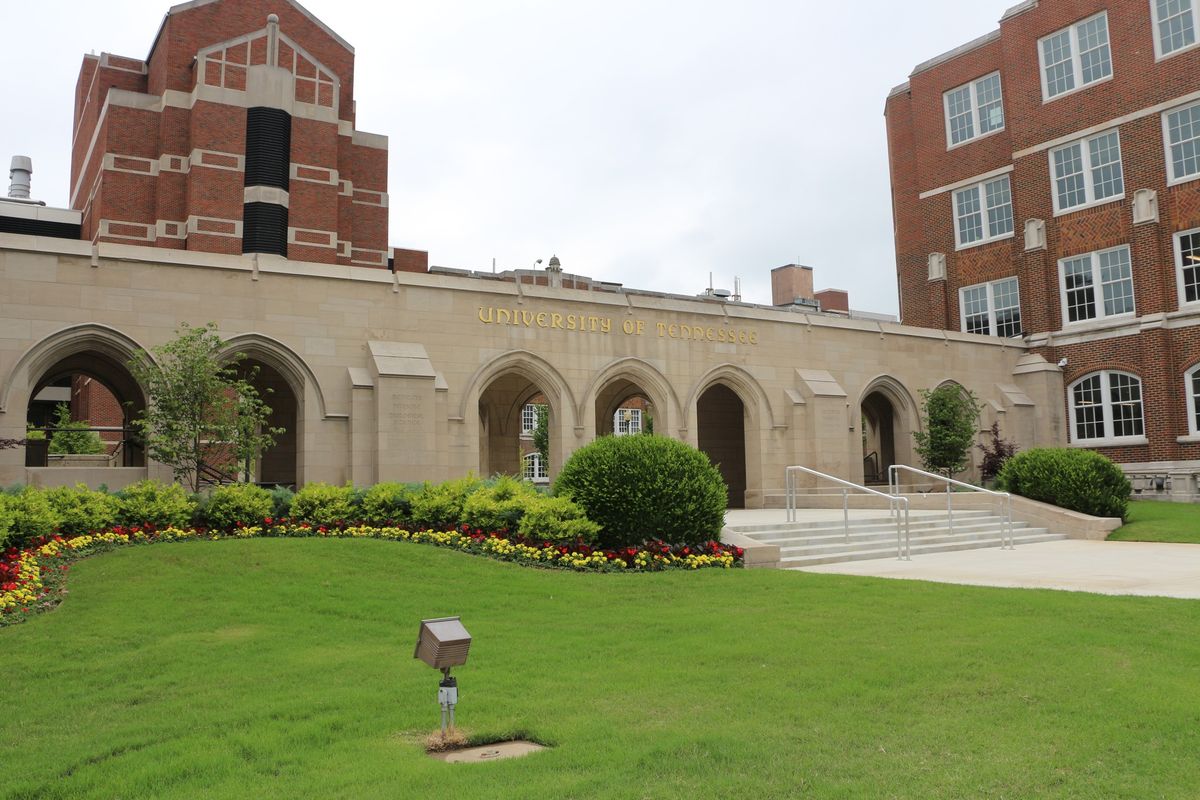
{"x":1081,"y":480}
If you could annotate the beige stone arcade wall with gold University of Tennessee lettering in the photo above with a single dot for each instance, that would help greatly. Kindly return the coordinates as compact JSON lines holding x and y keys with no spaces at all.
{"x":411,"y":377}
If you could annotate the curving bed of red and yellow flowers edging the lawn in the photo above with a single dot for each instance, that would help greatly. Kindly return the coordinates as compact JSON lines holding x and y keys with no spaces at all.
{"x":34,"y":579}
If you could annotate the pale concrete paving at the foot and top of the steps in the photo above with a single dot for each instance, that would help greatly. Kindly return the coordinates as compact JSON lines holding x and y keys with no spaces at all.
{"x":1076,"y":566}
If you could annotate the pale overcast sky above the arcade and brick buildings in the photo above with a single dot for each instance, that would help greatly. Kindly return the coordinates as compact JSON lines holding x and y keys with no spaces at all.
{"x":645,"y":142}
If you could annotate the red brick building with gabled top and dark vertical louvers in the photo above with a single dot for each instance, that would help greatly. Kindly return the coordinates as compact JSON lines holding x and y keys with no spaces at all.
{"x":236,"y":135}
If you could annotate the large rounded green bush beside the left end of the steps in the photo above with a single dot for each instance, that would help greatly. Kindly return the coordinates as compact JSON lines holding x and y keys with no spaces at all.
{"x":646,"y":488}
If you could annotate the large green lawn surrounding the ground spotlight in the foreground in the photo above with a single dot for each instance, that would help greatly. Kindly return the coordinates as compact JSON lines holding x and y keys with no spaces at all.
{"x":283,"y":669}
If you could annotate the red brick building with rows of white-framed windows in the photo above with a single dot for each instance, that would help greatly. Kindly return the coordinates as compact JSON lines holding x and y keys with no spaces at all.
{"x":1046,"y":183}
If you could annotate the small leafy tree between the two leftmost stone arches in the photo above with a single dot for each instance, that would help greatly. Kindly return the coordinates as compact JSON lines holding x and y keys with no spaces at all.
{"x":202,"y":414}
